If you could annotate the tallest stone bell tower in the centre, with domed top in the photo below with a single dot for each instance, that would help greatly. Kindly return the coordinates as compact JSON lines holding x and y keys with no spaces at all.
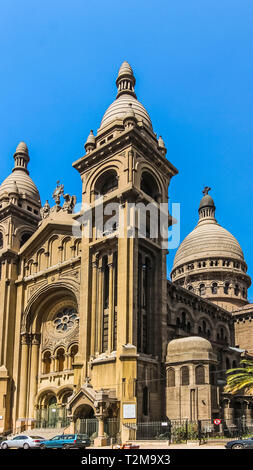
{"x":124,"y":282}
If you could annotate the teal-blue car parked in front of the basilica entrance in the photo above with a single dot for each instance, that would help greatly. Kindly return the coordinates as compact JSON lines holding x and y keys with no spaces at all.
{"x":67,"y":441}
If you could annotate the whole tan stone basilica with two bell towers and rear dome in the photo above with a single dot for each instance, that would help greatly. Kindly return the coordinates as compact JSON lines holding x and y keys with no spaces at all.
{"x":91,"y":329}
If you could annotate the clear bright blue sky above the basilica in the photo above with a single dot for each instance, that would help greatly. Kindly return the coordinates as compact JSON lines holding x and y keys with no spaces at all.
{"x":194,"y":70}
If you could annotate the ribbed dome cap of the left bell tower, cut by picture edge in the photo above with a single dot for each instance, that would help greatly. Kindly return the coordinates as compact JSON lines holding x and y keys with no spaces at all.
{"x":24,"y":184}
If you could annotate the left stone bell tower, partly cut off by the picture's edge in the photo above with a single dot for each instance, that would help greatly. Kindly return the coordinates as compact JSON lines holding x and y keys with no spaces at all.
{"x":19,"y":218}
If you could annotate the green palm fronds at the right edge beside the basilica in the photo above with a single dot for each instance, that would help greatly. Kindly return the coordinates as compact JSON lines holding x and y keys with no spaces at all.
{"x":240,"y":378}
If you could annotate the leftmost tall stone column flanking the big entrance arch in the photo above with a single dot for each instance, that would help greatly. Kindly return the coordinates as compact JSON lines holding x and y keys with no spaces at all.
{"x":25,"y":341}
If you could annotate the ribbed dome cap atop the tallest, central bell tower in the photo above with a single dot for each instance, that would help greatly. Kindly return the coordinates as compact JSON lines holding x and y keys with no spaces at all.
{"x":120,"y":107}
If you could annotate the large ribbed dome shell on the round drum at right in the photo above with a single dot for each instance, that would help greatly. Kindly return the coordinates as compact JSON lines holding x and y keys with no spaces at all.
{"x":208,"y":239}
